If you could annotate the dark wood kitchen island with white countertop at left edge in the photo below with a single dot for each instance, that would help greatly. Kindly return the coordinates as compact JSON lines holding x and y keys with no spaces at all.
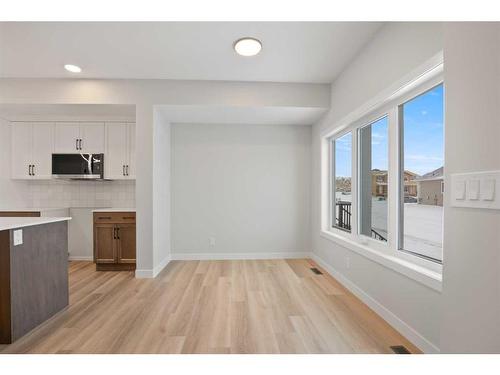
{"x":33,"y":273}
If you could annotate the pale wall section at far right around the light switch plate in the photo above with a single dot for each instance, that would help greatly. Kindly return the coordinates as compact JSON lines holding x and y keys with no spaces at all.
{"x":471,"y":278}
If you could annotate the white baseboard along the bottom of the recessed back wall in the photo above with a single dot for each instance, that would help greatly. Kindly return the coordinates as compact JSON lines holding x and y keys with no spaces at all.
{"x":240,"y":256}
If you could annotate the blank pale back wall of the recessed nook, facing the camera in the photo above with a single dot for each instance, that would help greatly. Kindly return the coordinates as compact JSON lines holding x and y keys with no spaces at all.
{"x":247,"y":186}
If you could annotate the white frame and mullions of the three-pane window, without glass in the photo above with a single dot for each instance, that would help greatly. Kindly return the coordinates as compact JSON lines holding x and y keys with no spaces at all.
{"x":385,"y":252}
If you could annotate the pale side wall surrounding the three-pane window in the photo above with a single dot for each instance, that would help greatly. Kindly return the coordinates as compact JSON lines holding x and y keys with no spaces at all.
{"x":397,"y":50}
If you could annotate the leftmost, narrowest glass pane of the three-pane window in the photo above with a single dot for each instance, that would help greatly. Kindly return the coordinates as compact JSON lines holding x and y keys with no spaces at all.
{"x":342,"y":182}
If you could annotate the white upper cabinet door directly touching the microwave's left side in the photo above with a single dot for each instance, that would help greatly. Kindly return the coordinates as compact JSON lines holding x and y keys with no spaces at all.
{"x":43,"y":147}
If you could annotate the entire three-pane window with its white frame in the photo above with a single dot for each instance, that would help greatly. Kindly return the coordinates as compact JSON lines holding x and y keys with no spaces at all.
{"x":382,"y":182}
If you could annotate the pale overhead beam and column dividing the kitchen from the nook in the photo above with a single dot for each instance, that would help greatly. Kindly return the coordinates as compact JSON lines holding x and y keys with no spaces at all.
{"x":147,"y":93}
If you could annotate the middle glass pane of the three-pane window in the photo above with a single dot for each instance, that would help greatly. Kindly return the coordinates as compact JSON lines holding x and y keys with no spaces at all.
{"x":373,"y":172}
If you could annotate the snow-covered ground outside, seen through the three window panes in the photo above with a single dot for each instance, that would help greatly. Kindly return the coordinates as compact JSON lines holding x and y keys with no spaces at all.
{"x":423,"y":226}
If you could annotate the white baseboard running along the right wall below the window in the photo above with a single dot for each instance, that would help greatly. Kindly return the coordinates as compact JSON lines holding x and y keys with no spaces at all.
{"x":411,"y":334}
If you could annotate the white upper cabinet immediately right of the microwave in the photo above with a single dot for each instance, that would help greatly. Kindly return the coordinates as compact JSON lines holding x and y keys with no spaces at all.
{"x":119,"y":156}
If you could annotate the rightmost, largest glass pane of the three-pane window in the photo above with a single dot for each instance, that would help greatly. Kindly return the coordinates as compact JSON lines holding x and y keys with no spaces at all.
{"x":422,"y":166}
